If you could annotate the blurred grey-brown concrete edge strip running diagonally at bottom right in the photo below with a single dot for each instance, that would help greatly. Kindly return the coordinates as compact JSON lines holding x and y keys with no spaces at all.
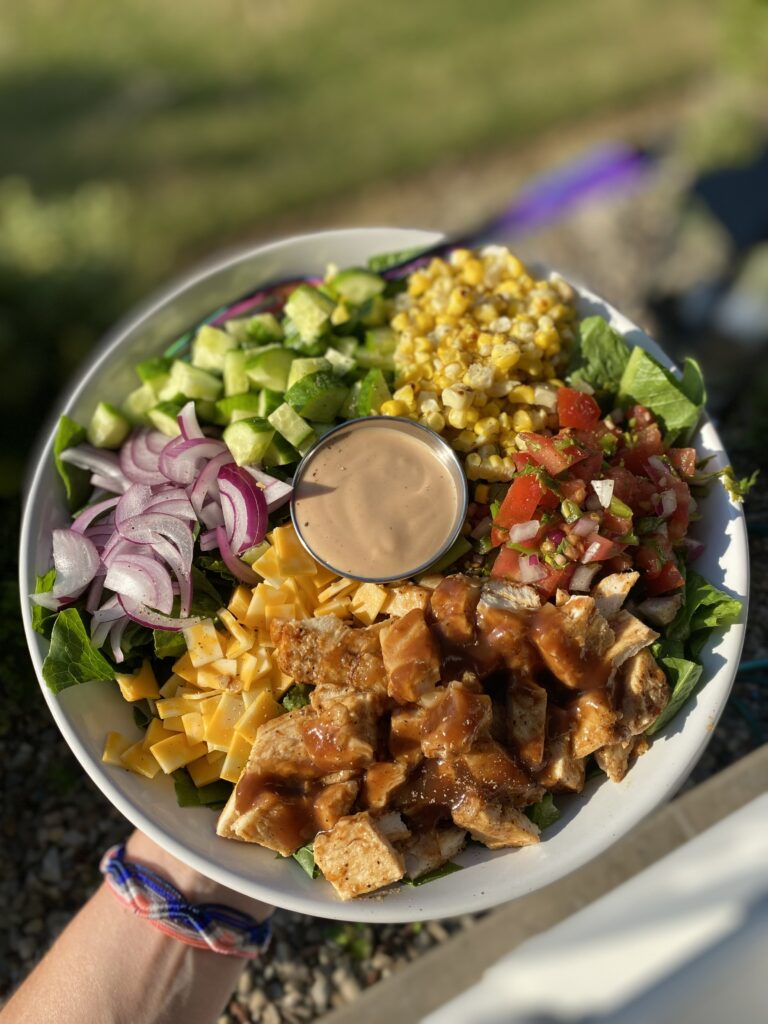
{"x":440,"y":975}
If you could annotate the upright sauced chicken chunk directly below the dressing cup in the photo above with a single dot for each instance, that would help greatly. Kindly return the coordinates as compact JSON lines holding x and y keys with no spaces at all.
{"x":411,"y":658}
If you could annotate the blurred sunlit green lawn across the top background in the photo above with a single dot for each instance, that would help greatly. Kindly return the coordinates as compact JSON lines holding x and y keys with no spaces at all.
{"x":215,"y":118}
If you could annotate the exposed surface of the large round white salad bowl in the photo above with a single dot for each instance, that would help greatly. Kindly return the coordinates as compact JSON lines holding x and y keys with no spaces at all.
{"x":591,"y":822}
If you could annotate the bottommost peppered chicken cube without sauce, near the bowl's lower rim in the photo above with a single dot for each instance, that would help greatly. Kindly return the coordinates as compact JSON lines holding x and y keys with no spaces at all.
{"x":357,"y":858}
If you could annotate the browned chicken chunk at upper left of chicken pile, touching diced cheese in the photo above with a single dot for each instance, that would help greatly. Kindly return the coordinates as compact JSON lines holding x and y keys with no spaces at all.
{"x":325,"y":653}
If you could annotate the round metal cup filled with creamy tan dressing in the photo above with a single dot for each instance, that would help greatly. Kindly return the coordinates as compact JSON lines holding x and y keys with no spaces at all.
{"x":376,"y":503}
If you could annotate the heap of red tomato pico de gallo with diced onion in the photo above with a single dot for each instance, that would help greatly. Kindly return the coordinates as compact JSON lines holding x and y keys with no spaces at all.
{"x":603,"y":495}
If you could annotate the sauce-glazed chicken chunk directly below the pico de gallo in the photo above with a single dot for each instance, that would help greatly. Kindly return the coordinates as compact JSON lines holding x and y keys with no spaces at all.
{"x":573,"y":641}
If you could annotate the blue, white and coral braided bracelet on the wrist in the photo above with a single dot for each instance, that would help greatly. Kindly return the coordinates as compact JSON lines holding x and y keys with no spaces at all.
{"x":206,"y":926}
